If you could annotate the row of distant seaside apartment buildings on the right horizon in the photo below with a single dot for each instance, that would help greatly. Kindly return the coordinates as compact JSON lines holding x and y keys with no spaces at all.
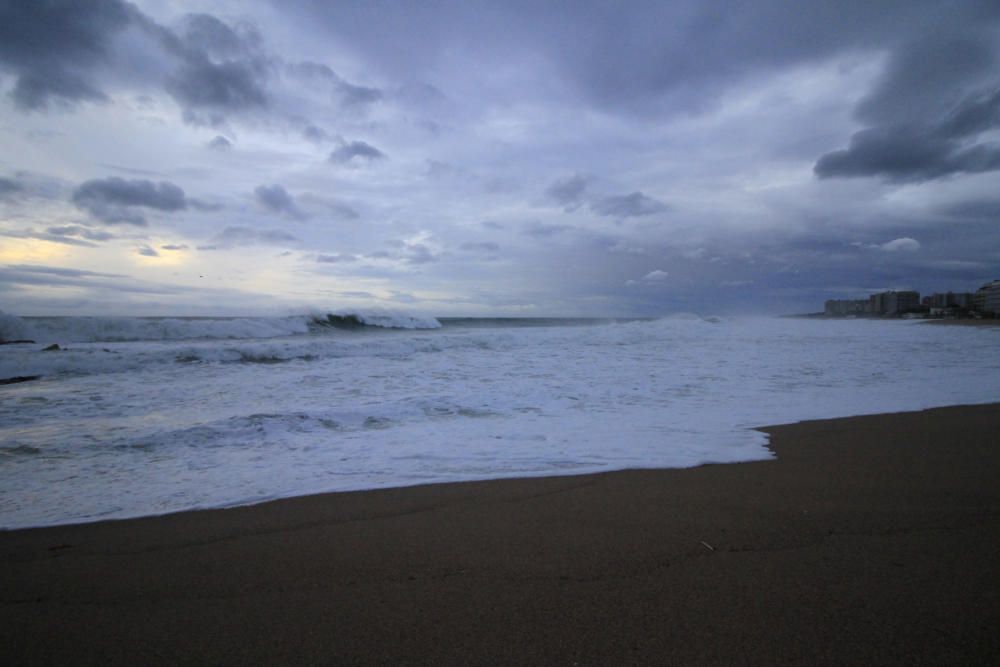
{"x":983,"y":302}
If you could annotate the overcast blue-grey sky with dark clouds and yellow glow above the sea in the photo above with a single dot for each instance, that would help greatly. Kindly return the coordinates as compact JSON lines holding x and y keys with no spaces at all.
{"x":226,"y":157}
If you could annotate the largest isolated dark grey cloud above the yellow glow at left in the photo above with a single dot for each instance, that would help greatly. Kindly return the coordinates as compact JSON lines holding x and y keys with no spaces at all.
{"x":115,"y":200}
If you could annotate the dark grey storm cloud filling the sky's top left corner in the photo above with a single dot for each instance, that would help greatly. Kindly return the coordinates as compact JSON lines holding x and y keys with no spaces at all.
{"x":52,"y":47}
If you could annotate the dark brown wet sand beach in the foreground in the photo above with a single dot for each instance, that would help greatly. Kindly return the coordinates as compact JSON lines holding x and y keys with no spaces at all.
{"x":868,"y":540}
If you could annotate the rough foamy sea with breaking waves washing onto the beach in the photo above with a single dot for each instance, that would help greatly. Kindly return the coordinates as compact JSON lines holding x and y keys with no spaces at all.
{"x":142,"y":416}
